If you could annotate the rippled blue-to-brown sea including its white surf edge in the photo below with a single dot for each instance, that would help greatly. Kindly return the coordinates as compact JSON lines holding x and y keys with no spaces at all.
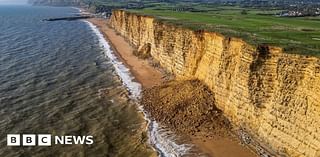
{"x":62,"y":78}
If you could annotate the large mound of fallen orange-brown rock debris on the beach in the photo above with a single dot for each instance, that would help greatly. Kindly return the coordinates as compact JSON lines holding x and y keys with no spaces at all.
{"x":187,"y":107}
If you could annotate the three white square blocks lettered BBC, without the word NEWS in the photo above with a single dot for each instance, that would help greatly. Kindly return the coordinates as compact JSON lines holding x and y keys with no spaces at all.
{"x":28,"y":140}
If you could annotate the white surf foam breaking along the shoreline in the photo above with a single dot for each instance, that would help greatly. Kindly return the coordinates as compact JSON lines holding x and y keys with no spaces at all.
{"x":160,"y":138}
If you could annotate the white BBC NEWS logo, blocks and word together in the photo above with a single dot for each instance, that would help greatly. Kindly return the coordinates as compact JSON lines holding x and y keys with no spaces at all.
{"x":46,"y":140}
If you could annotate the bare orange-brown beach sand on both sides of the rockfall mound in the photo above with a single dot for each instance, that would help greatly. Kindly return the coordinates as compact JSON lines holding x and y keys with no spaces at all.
{"x":149,"y":77}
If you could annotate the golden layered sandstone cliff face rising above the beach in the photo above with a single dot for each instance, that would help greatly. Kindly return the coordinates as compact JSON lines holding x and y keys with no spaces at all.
{"x":273,"y":95}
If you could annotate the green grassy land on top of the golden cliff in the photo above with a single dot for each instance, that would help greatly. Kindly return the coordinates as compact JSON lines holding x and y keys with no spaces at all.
{"x":295,"y":34}
